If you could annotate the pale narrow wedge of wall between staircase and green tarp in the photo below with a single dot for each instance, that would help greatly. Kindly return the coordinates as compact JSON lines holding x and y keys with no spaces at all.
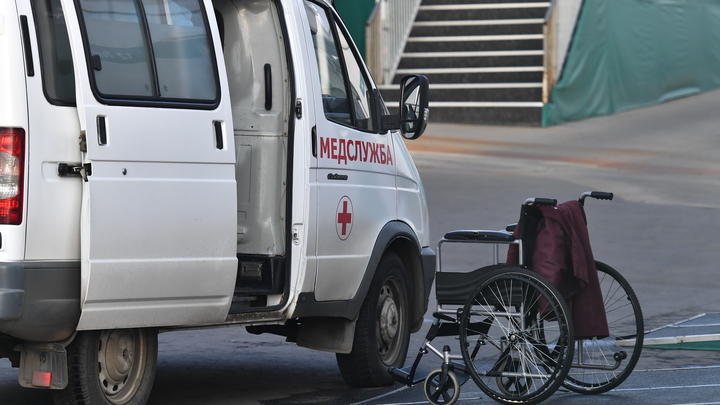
{"x":558,"y":31}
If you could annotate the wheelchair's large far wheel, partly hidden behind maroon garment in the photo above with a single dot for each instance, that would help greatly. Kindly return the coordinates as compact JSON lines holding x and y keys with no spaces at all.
{"x":609,"y":361}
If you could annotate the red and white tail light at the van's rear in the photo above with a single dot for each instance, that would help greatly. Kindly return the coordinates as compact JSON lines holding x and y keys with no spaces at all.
{"x":12,"y":166}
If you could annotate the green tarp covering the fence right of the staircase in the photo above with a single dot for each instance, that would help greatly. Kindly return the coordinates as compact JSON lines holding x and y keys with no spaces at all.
{"x":633,"y":53}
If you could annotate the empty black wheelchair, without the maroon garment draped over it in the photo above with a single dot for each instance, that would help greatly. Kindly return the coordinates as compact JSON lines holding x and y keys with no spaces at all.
{"x":514,"y":377}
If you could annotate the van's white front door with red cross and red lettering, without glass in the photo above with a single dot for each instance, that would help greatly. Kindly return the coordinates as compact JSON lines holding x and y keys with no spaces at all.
{"x":356,"y":194}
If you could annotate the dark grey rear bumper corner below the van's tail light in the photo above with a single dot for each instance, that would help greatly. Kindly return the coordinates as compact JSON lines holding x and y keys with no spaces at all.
{"x":39,"y":301}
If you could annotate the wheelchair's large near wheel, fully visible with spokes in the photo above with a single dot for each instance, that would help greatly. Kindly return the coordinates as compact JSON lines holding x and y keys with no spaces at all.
{"x":516,"y":336}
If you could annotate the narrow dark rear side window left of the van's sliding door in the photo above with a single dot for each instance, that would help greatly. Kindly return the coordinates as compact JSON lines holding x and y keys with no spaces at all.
{"x":58,"y":75}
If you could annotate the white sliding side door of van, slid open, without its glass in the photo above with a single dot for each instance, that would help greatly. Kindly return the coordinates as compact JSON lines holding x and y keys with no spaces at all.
{"x":155,"y":251}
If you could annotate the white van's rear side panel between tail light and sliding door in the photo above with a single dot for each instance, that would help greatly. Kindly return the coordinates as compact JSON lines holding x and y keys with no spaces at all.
{"x":53,"y":226}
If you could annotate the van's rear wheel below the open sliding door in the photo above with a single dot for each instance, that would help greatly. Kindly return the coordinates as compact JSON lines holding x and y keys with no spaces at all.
{"x":110,"y":367}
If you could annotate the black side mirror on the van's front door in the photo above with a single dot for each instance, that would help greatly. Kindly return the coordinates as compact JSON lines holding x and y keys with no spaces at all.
{"x":414,"y":109}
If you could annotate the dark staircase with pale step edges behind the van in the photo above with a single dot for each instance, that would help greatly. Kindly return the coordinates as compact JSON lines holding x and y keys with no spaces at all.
{"x":484,"y":60}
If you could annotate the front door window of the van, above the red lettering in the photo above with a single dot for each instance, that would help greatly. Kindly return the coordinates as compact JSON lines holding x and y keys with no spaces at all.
{"x":340,"y":73}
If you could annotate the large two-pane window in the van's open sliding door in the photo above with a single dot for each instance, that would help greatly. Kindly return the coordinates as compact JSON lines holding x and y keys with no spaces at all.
{"x":150,"y":49}
